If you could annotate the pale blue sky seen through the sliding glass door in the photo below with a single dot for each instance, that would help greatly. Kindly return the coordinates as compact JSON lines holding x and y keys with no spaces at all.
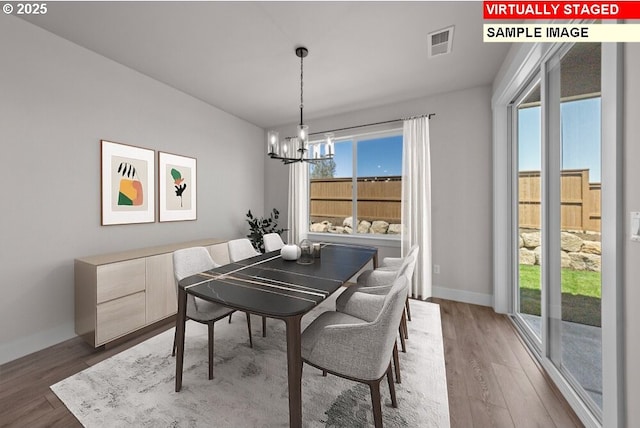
{"x":580,"y":137}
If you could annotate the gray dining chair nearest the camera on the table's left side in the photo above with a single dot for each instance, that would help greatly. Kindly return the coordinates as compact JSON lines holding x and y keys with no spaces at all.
{"x":190,"y":261}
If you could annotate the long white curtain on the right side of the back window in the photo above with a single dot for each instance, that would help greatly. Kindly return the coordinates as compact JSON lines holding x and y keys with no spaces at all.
{"x":416,"y":201}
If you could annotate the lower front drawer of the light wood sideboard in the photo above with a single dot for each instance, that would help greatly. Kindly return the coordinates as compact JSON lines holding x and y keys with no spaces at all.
{"x":120,"y":316}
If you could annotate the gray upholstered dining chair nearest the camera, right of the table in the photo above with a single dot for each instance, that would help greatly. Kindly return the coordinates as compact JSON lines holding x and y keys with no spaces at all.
{"x":359,"y":348}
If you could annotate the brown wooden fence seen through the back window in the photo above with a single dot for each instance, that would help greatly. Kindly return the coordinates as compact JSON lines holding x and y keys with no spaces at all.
{"x":378,"y":199}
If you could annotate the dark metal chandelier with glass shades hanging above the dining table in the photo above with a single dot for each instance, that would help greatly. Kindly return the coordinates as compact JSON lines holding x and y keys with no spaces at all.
{"x":296,"y":149}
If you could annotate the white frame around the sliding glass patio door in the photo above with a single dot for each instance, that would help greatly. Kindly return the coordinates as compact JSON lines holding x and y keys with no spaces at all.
{"x":524,"y":62}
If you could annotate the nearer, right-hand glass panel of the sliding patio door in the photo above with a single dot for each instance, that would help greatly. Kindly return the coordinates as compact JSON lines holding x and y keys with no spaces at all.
{"x":575,"y":338}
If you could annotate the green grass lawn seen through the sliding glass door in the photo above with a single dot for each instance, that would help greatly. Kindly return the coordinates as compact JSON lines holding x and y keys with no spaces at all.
{"x":580,"y":294}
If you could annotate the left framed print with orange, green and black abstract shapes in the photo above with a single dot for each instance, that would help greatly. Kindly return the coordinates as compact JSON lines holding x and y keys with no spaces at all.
{"x":127,"y":175}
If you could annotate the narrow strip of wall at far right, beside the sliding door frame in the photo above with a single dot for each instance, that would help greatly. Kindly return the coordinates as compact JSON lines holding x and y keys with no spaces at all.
{"x":631,"y":154}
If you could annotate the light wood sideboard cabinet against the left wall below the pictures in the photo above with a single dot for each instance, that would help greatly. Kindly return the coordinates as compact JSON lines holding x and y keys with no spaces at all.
{"x":119,"y":293}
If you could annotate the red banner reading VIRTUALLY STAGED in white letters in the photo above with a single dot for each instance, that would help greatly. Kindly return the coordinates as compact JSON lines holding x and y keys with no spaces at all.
{"x":561,"y":10}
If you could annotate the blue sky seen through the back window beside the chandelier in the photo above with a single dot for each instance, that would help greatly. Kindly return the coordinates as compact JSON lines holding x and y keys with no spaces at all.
{"x":376,"y":157}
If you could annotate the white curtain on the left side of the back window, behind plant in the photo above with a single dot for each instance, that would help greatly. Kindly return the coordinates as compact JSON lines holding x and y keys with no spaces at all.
{"x":298,"y":202}
